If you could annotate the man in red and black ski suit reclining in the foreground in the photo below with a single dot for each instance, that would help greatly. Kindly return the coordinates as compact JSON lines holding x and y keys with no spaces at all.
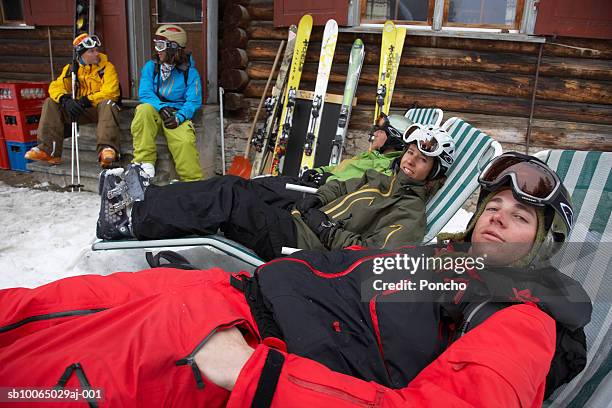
{"x":312,"y":330}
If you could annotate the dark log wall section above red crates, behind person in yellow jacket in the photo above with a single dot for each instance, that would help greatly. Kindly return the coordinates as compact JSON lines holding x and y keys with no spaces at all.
{"x":25,"y":54}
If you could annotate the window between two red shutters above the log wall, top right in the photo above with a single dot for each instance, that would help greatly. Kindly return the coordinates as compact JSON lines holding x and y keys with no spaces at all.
{"x":500,"y":14}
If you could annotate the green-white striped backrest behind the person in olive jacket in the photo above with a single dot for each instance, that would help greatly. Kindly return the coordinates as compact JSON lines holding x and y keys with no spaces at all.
{"x":474,"y":149}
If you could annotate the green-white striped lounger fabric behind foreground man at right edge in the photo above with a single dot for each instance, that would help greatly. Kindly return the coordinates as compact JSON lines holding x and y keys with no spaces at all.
{"x":588,"y":177}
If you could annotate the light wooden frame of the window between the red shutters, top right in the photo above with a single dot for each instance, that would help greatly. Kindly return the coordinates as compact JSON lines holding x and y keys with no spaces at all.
{"x":437,"y":19}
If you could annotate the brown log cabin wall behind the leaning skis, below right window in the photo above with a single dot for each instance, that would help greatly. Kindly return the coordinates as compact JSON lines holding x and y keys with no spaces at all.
{"x":490,"y":83}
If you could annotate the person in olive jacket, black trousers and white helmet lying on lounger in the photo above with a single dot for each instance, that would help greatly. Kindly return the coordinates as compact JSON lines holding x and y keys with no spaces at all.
{"x":376,"y":210}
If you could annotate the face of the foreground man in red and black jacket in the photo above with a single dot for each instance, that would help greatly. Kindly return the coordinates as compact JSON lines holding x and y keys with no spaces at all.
{"x":506,"y":229}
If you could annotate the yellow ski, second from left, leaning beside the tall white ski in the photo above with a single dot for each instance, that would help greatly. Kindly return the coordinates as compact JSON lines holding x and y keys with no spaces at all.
{"x":286,"y":118}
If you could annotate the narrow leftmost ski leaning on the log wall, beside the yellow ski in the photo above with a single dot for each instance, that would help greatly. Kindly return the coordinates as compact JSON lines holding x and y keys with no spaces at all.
{"x":261,"y":138}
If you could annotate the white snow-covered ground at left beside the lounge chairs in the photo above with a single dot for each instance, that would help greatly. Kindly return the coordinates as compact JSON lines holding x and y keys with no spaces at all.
{"x":47,"y":235}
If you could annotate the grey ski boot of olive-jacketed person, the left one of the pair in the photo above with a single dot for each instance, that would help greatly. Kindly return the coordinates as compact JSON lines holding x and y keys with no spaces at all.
{"x":113,"y":221}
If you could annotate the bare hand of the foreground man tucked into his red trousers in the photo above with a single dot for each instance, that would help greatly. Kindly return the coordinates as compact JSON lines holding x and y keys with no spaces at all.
{"x":223,"y":356}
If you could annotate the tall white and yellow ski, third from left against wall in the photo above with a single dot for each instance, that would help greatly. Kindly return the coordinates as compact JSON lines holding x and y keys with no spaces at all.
{"x":328,"y":47}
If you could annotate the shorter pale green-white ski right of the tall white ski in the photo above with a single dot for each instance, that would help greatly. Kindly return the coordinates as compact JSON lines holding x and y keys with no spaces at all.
{"x":350,"y":87}
